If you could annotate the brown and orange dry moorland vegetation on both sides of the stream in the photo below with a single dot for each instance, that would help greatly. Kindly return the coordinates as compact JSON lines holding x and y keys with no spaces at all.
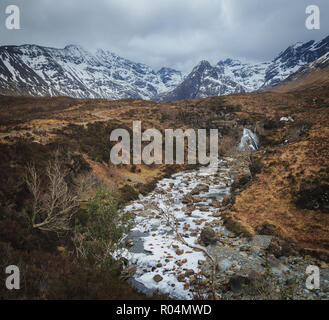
{"x":289,"y":174}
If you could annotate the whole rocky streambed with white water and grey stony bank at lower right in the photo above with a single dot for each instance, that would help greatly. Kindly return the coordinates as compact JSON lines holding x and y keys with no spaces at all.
{"x":174,"y":260}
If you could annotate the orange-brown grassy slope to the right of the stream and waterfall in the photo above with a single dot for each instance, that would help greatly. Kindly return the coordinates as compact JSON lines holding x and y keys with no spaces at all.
{"x":294,"y":157}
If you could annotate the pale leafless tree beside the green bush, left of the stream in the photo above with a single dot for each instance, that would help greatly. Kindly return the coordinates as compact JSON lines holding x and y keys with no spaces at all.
{"x":53,"y":208}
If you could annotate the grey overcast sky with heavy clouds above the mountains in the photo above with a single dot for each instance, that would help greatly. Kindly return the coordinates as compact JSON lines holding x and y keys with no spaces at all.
{"x":172,"y":33}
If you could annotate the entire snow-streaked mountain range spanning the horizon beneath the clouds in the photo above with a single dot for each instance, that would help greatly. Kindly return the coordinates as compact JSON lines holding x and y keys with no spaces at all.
{"x":75,"y":72}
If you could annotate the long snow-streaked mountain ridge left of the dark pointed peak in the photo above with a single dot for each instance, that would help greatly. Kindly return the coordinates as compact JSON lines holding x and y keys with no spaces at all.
{"x":75,"y":72}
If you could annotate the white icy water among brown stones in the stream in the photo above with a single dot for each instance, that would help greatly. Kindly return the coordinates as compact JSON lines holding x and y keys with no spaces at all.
{"x":156,"y":250}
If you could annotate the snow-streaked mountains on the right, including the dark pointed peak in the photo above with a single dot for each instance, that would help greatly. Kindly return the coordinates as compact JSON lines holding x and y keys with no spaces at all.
{"x":232,"y":76}
